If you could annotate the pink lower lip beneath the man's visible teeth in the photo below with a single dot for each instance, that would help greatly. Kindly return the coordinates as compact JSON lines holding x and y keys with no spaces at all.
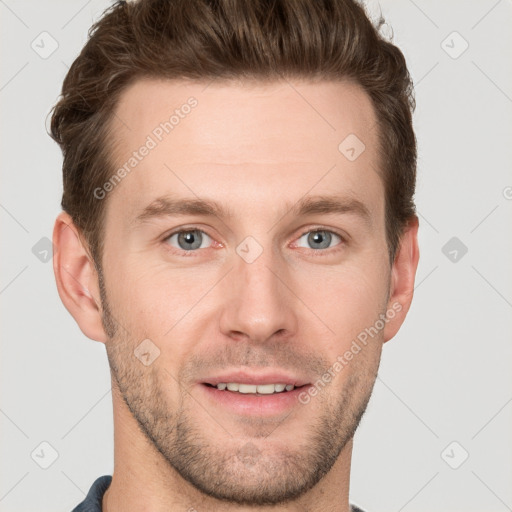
{"x":251,"y":404}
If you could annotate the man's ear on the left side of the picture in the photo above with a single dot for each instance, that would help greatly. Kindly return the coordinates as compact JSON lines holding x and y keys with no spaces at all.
{"x":77,"y":279}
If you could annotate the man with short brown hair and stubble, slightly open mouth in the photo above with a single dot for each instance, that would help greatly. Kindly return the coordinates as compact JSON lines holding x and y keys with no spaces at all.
{"x":239,"y":231}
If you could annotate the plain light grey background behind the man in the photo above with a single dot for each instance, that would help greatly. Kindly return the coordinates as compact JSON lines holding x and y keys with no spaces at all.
{"x":446,"y":377}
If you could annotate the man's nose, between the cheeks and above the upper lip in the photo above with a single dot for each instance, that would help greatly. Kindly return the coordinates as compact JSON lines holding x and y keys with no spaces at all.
{"x":258,"y":303}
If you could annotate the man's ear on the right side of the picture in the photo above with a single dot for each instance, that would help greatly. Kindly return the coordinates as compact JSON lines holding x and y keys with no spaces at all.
{"x":403,"y":273}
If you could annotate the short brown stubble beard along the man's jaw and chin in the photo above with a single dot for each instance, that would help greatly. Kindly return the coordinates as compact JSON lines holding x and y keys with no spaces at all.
{"x":238,"y":471}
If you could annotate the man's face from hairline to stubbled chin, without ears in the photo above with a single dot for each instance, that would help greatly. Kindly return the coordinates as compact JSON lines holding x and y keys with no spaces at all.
{"x":245,"y":248}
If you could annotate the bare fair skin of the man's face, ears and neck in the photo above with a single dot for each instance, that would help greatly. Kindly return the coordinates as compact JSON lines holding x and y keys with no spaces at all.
{"x":254,"y":148}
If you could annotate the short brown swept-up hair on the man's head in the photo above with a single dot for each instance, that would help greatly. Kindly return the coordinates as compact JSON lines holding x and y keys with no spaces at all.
{"x":230,"y":40}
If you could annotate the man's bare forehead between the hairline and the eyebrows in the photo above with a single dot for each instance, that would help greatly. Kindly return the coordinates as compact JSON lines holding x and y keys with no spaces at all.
{"x":245,"y":142}
